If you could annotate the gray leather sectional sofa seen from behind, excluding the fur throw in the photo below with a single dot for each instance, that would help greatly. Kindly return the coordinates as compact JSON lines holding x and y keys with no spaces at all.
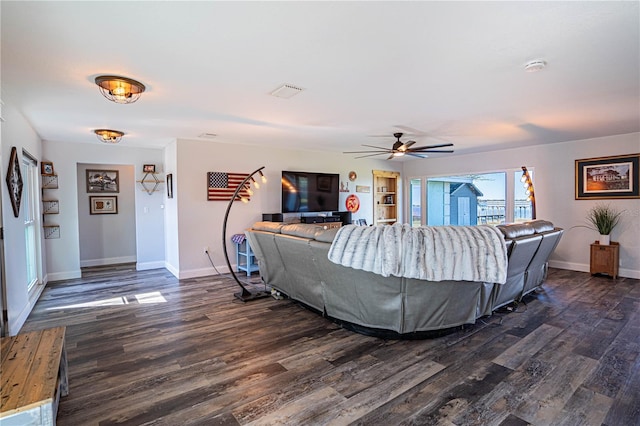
{"x":294,"y":260}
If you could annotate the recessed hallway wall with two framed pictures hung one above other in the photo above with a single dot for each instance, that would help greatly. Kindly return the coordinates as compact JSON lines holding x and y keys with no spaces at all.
{"x":107,"y":239}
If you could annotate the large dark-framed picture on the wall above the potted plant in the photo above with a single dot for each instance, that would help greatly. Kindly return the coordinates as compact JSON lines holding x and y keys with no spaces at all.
{"x":607,"y":177}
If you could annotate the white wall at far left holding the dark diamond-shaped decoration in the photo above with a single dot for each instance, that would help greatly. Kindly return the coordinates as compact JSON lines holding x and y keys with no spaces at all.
{"x":16,"y":131}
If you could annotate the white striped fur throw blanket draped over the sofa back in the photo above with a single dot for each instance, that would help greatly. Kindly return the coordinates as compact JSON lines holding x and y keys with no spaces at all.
{"x":433,"y":253}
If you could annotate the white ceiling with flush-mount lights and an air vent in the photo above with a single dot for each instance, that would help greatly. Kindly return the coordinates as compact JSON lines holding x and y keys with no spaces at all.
{"x":453,"y":70}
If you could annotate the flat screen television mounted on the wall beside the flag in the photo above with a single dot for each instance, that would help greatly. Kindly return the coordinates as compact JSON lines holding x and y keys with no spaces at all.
{"x":306,"y":192}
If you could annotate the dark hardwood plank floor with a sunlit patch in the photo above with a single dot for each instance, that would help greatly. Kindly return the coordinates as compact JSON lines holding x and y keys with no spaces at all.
{"x":145,"y":348}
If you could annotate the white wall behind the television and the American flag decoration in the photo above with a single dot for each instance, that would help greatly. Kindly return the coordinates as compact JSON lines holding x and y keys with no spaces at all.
{"x":200,"y":221}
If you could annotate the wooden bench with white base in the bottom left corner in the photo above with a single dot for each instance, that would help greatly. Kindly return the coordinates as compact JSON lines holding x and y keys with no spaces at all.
{"x":34,"y":376}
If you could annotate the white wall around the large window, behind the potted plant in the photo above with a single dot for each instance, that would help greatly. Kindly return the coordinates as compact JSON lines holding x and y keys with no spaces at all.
{"x":554,"y":182}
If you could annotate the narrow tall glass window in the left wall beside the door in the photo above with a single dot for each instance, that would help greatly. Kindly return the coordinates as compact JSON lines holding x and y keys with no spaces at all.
{"x":31,"y":202}
